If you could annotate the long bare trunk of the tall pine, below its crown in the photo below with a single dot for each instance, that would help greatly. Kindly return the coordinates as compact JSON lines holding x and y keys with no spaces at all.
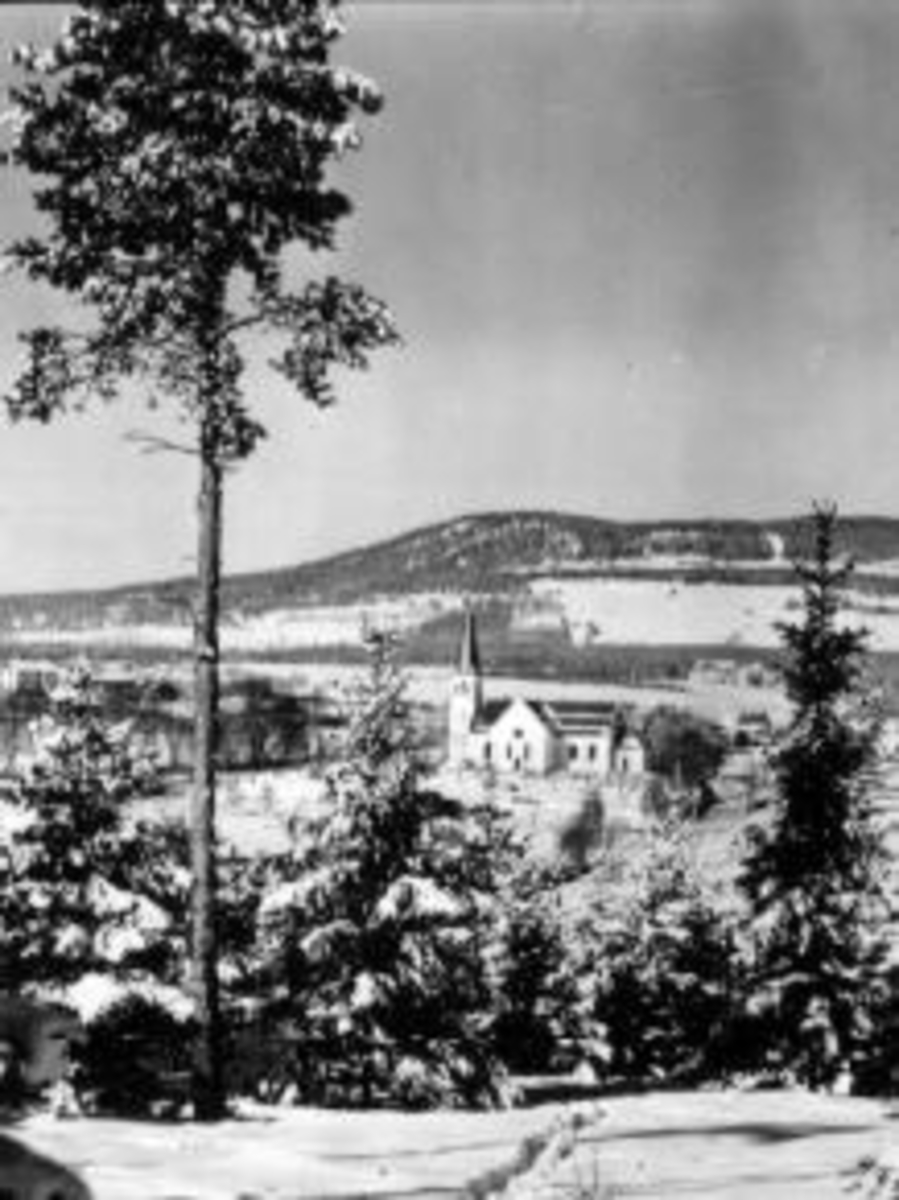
{"x":208,"y":1084}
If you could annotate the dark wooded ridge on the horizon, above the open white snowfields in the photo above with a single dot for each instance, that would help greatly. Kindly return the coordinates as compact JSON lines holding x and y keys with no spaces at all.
{"x":490,"y":554}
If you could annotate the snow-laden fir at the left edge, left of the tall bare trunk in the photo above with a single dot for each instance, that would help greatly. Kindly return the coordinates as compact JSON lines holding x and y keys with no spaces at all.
{"x":83,"y":892}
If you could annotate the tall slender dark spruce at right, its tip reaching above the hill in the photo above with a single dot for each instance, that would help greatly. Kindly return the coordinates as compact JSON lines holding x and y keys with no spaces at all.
{"x":812,"y":873}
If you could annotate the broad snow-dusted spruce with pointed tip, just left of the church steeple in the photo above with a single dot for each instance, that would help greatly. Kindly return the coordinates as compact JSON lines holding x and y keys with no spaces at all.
{"x":377,"y":947}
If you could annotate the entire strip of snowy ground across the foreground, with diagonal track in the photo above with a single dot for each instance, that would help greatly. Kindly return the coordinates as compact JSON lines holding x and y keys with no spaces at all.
{"x":696,"y":1147}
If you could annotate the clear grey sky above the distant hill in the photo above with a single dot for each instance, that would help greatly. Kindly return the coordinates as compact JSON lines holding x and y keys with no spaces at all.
{"x":645,"y":260}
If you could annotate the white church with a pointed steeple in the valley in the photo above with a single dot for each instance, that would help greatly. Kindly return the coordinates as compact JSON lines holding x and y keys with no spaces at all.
{"x":537,"y":737}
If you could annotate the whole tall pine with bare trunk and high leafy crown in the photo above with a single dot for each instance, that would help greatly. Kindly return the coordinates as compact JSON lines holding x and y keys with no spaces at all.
{"x":179,"y":149}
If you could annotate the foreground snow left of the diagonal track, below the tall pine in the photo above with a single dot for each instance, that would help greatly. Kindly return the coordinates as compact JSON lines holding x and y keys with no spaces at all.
{"x":298,"y":1154}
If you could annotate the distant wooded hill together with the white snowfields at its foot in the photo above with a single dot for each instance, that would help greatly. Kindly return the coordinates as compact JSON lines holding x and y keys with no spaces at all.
{"x":583,"y":581}
